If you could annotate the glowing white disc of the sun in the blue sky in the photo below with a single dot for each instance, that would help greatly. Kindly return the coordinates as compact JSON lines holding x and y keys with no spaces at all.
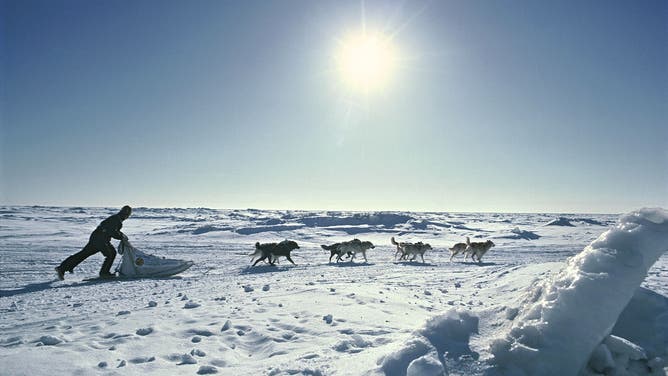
{"x":366,"y":61}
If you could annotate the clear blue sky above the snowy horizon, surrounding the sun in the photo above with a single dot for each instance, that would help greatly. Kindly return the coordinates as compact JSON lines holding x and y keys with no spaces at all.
{"x":492,"y":106}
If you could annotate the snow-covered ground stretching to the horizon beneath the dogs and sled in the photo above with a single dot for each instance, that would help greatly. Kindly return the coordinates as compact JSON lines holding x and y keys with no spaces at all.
{"x":536,"y":291}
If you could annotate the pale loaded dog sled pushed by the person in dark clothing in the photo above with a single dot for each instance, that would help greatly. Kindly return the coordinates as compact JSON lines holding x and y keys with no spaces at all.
{"x":137,"y":264}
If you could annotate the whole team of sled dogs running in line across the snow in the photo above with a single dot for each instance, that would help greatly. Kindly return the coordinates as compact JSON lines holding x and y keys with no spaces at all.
{"x":270,"y":252}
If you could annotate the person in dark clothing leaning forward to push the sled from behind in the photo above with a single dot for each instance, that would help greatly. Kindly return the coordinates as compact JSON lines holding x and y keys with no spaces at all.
{"x":99,"y":241}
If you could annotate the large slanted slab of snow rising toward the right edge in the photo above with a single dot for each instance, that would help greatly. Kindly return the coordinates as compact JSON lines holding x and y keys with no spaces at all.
{"x":563,"y":321}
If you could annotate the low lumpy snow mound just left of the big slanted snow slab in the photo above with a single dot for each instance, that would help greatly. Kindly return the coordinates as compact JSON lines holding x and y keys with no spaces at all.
{"x":444,"y":336}
